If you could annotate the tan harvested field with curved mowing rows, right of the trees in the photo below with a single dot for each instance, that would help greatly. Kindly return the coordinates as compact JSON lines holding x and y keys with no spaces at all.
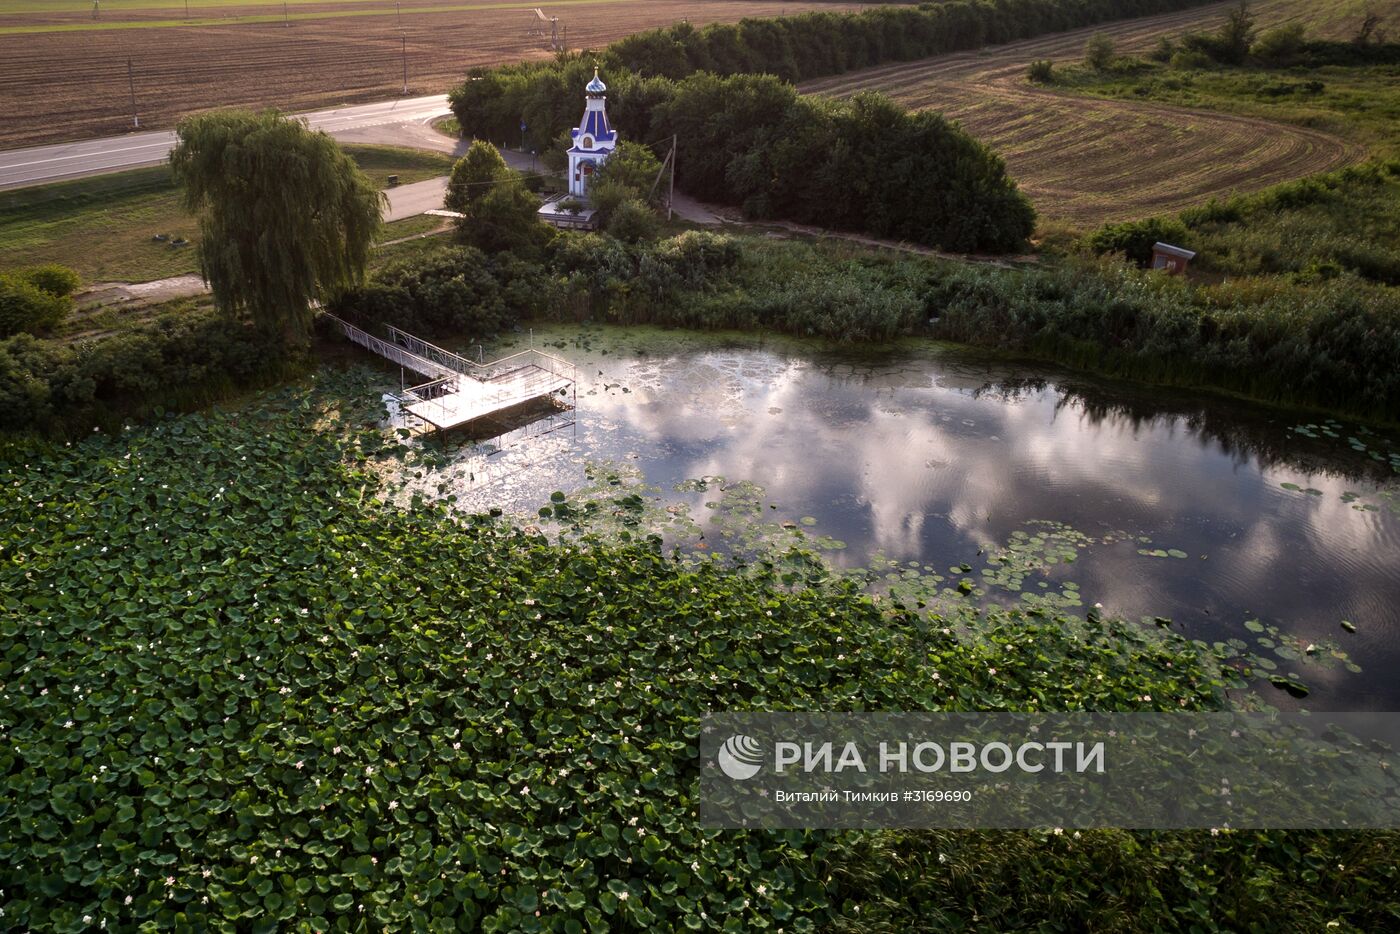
{"x":1086,"y":160}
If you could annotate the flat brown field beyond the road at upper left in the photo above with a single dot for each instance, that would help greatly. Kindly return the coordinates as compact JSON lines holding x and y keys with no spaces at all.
{"x":64,"y":86}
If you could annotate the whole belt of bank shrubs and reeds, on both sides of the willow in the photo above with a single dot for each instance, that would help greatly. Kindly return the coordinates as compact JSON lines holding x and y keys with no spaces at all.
{"x":1312,"y":342}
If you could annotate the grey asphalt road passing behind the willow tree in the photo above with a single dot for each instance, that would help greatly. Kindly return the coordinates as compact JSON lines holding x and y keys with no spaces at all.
{"x":96,"y":158}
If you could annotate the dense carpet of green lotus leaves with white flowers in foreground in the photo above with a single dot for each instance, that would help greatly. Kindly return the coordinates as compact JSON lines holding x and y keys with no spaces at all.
{"x":409,"y":718}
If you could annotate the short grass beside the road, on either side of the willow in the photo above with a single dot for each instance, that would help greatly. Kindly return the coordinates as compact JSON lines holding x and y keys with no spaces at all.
{"x":104,"y":228}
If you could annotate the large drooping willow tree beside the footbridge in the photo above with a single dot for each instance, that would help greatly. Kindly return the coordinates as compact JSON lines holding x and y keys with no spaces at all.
{"x":285,"y":216}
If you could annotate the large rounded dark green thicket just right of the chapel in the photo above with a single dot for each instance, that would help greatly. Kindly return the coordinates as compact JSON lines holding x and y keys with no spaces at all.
{"x":860,"y":165}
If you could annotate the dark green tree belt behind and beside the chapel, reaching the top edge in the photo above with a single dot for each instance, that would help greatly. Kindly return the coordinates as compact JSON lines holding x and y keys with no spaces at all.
{"x":747,"y":138}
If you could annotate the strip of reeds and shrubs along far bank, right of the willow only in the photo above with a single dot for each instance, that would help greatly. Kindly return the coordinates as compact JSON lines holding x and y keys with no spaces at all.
{"x":1325,"y":342}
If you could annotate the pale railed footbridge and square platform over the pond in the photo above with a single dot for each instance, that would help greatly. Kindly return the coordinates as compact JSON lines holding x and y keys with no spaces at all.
{"x":458,"y":390}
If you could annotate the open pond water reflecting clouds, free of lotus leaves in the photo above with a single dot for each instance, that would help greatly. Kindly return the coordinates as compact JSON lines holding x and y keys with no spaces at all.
{"x":1228,"y":519}
